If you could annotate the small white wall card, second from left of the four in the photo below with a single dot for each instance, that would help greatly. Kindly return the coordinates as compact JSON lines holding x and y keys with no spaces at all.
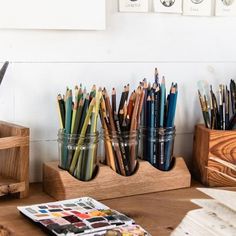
{"x":168,"y":6}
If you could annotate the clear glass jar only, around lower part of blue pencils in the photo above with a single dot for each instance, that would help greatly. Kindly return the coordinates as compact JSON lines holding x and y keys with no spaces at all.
{"x":157,"y":146}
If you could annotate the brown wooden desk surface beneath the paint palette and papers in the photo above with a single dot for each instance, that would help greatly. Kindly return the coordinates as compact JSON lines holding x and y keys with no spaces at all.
{"x":158,"y":213}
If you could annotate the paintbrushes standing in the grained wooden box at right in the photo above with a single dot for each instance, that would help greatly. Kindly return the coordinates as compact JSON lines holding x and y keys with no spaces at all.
{"x":216,"y":113}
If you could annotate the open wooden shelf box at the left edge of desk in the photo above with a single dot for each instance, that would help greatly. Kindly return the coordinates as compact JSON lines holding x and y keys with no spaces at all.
{"x":14,"y":159}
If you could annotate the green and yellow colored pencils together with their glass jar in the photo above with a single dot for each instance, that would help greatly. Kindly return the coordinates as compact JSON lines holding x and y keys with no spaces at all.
{"x":78,"y":121}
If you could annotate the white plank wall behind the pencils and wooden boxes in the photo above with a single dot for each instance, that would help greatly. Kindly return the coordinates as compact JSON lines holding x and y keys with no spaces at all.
{"x":43,"y":63}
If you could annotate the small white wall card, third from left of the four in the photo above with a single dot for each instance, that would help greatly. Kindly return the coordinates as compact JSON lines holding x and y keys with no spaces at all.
{"x":197,"y":7}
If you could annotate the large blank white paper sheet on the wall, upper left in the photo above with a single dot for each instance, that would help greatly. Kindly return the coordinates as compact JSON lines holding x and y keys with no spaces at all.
{"x":53,"y":14}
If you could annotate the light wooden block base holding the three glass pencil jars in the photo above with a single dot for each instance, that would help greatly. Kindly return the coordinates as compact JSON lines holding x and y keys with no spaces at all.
{"x":108,"y":184}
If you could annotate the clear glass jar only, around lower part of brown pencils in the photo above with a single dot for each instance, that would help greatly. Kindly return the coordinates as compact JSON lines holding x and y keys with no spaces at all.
{"x":121,"y":151}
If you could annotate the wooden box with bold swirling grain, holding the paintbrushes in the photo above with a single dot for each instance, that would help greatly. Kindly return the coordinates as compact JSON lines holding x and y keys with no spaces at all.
{"x":214,"y":156}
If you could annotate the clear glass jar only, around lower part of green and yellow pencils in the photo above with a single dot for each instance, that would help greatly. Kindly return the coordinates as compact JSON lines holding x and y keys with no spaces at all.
{"x":78,"y":154}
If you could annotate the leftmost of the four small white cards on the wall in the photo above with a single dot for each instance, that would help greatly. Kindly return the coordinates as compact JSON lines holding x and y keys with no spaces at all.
{"x":133,"y":5}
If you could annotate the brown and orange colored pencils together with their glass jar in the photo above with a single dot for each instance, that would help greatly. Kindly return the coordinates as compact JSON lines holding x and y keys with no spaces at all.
{"x":120,"y":128}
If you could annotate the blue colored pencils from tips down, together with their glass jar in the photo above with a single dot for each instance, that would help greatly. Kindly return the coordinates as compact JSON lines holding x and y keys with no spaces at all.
{"x":157,"y":129}
